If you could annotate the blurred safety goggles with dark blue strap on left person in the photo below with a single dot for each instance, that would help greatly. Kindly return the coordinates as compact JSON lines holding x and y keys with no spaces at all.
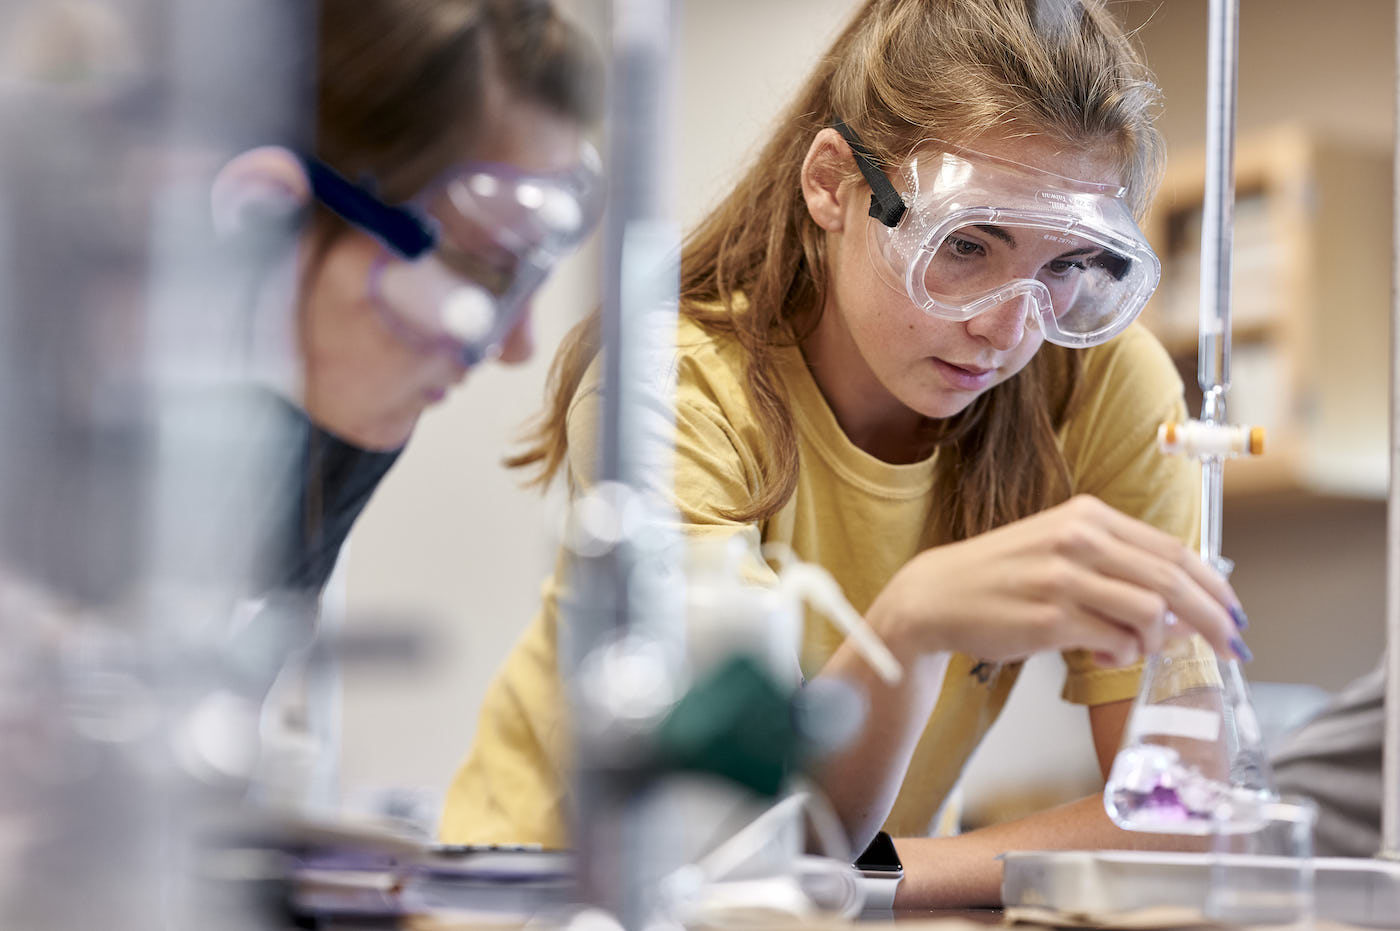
{"x":463,"y":260}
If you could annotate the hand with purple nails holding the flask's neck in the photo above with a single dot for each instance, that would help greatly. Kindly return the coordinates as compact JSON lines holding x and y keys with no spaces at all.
{"x":1080,"y":576}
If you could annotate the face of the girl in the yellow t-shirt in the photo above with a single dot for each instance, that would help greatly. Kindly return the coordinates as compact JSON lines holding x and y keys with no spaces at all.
{"x":881,"y":362}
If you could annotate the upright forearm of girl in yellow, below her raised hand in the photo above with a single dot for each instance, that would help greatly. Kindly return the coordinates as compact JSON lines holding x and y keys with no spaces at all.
{"x":863,"y":779}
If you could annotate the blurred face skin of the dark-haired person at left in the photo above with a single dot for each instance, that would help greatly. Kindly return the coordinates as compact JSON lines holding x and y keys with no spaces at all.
{"x":366,"y":380}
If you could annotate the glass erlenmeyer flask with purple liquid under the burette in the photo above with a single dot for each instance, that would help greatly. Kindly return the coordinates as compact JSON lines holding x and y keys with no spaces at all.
{"x":1193,"y":757}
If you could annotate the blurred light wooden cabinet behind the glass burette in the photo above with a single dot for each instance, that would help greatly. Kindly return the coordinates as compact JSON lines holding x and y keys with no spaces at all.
{"x":1311,"y":307}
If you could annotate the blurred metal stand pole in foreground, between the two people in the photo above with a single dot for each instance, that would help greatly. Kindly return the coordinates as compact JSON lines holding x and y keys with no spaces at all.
{"x":618,"y":619}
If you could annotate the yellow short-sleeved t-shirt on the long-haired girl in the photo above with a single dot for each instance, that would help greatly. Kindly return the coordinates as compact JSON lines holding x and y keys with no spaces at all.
{"x":853,"y":514}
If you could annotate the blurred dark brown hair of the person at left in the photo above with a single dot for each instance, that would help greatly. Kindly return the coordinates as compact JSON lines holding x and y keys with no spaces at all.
{"x":400,"y":85}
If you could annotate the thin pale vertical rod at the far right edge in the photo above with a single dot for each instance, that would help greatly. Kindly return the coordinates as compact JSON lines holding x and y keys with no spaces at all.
{"x":1391,"y":764}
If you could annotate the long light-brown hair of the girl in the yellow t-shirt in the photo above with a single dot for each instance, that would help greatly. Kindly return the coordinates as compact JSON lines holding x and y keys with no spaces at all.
{"x":901,"y":72}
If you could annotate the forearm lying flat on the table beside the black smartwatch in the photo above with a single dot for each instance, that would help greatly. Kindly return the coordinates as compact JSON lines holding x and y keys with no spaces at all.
{"x":965,"y":873}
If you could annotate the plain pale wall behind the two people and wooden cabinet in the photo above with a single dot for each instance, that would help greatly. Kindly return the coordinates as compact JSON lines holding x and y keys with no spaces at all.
{"x":450,"y":542}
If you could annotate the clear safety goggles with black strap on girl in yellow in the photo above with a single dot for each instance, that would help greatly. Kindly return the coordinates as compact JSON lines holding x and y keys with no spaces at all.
{"x":968,"y":233}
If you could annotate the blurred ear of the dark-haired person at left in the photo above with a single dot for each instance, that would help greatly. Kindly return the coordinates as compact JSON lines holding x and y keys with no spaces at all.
{"x":267,"y":183}
